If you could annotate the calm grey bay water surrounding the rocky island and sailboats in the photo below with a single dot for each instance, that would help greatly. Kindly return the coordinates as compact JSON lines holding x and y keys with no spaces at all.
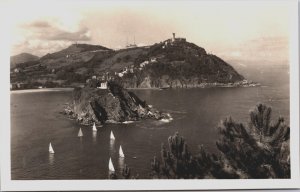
{"x":36,"y":121}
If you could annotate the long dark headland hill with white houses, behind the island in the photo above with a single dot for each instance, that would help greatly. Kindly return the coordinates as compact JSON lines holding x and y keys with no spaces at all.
{"x":171,"y":63}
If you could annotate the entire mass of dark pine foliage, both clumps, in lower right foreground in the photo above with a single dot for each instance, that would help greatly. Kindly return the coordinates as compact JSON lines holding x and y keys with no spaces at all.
{"x":260,"y":150}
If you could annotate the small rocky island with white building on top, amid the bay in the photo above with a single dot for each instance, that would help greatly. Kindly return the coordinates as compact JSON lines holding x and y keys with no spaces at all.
{"x":109,"y":103}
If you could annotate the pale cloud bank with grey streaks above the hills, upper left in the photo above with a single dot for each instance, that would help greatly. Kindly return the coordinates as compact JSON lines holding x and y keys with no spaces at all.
{"x":46,"y":36}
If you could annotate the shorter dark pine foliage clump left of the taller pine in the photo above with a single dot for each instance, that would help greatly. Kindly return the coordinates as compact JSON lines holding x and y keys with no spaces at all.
{"x":178,"y":162}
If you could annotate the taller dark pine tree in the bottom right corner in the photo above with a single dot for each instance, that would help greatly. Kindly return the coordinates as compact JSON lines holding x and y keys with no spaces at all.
{"x":259,"y":151}
